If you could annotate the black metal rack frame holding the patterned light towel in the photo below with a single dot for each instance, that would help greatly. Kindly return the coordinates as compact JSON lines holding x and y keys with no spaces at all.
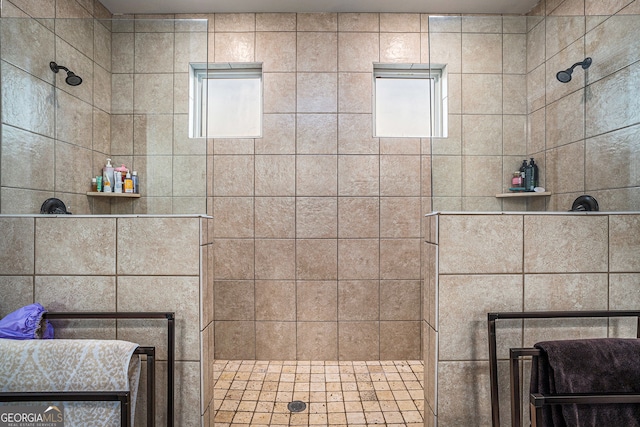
{"x":121,"y":396}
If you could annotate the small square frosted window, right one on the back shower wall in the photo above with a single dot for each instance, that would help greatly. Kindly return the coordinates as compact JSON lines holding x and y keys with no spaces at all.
{"x":409,"y":101}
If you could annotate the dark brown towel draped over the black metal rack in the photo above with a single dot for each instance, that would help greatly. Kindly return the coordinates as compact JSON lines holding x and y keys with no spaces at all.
{"x":605,"y":365}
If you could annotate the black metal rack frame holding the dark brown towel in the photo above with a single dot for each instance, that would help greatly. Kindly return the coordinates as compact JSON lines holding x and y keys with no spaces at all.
{"x":537,"y":401}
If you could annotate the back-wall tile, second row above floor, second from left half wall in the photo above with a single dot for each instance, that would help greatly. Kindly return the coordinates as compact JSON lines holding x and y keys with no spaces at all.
{"x":275,"y":300}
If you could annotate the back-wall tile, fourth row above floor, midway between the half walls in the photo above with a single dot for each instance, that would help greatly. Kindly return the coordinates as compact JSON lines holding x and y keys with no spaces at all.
{"x":316,"y":217}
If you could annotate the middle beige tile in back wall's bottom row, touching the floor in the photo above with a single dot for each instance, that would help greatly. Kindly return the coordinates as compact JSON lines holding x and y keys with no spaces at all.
{"x":317,"y":341}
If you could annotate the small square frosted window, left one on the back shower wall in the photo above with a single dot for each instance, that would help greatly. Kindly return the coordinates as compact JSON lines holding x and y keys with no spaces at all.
{"x":225,"y":100}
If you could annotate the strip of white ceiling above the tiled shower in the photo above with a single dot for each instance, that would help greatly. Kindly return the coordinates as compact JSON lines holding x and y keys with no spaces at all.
{"x":399,"y":6}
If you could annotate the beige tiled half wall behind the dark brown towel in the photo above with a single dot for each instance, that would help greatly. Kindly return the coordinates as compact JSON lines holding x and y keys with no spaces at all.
{"x":516,"y":262}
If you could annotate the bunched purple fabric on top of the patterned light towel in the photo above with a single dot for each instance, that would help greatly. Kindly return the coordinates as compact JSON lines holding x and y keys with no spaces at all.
{"x":26,"y":323}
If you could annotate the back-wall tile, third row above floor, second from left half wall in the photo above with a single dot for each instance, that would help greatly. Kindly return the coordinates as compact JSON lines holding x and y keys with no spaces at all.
{"x":275,"y":259}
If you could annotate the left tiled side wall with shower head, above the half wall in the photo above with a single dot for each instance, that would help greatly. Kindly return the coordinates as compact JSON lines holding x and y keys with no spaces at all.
{"x":53,"y":135}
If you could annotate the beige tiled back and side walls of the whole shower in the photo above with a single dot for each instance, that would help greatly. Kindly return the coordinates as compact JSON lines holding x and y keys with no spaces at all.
{"x":317,"y":234}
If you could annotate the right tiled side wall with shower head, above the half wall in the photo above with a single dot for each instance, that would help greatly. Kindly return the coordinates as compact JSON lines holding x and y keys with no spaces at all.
{"x":584,"y":133}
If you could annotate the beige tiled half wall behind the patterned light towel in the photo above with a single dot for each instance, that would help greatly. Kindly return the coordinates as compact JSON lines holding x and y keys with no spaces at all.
{"x":48,"y":260}
